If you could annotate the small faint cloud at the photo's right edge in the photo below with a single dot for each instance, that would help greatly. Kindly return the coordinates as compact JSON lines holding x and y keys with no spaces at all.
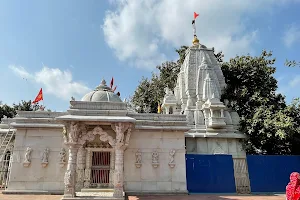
{"x":291,"y":35}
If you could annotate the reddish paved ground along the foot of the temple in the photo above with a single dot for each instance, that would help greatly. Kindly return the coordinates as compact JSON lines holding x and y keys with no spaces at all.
{"x":189,"y":197}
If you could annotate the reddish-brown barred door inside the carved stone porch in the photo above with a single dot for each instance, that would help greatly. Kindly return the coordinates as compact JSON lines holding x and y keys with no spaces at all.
{"x":100,"y":169}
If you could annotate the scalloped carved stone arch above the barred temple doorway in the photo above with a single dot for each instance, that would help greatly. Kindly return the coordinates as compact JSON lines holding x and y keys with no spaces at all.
{"x":90,"y":136}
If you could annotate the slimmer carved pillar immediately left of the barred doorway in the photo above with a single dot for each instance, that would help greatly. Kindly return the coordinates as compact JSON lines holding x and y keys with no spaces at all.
{"x":80,"y":168}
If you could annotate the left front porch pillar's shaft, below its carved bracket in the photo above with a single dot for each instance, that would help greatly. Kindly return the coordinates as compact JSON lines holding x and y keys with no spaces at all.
{"x":70,"y":175}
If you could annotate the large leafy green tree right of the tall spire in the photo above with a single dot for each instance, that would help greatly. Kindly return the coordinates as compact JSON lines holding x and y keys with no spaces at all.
{"x":251,"y":91}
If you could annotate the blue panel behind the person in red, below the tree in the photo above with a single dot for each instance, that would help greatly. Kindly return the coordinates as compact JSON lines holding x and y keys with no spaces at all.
{"x":271,"y":173}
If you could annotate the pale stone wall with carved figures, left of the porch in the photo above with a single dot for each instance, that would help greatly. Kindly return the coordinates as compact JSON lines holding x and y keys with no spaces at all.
{"x":35,"y":177}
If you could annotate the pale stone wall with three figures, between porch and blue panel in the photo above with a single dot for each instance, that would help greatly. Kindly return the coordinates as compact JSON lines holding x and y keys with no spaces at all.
{"x":150,"y":179}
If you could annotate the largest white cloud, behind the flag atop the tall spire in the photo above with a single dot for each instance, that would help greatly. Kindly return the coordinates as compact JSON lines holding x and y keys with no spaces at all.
{"x":139,"y":30}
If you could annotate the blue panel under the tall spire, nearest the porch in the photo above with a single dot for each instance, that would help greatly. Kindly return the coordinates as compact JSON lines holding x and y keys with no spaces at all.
{"x":210,"y":173}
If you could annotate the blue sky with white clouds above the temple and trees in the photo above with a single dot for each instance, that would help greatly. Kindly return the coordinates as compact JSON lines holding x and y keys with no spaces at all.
{"x":67,"y":47}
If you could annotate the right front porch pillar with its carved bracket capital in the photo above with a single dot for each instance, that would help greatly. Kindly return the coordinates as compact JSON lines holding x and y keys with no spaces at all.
{"x":122,"y":141}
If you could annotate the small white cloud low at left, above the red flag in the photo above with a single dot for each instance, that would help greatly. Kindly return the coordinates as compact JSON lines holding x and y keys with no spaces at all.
{"x":54,"y":81}
